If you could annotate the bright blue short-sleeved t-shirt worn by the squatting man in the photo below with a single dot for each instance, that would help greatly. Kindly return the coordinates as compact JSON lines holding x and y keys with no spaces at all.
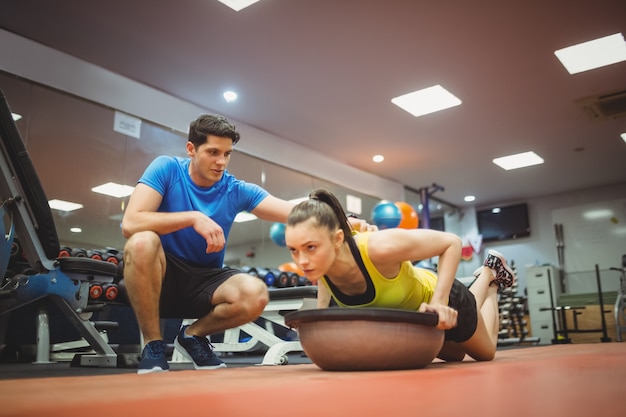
{"x":169,"y":176}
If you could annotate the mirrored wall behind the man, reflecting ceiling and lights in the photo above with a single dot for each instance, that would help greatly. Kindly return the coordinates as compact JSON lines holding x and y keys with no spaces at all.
{"x":74,"y":148}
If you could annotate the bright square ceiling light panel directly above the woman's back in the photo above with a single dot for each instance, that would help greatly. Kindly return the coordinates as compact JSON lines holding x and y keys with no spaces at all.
{"x":428,"y":100}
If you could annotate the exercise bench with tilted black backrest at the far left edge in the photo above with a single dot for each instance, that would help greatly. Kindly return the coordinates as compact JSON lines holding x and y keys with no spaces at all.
{"x":43,"y":273}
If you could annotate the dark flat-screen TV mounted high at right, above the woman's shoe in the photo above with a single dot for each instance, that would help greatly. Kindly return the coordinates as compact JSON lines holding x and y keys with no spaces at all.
{"x":503,"y":222}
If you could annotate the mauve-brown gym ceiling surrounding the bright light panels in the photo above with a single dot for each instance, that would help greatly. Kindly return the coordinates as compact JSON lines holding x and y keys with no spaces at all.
{"x":322,"y":73}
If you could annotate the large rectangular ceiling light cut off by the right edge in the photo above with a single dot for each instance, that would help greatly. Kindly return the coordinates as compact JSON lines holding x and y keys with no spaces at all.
{"x":593,"y":54}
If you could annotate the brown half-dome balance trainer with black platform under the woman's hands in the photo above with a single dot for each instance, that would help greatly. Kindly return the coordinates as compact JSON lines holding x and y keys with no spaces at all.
{"x":367,"y":339}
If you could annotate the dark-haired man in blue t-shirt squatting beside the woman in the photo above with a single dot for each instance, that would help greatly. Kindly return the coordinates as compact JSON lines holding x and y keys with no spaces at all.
{"x":177,"y":221}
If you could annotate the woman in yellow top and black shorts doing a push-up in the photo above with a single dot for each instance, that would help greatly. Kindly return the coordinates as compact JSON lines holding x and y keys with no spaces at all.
{"x":374,"y":269}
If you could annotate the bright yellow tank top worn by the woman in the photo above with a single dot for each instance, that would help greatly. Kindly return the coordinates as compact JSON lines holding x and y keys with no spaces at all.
{"x":407,"y":291}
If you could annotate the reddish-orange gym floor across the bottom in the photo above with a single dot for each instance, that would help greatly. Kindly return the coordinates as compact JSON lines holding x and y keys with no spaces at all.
{"x":557,"y":380}
